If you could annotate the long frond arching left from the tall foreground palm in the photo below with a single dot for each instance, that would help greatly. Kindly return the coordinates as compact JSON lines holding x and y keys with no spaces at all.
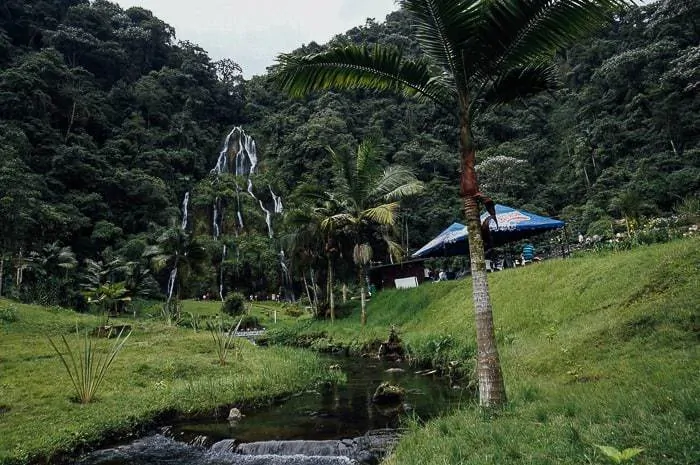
{"x":381,"y":68}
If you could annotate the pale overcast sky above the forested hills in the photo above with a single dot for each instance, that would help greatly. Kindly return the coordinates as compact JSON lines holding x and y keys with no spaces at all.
{"x":253,"y":32}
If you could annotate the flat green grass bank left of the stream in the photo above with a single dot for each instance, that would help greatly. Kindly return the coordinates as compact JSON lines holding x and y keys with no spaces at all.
{"x":162,"y":371}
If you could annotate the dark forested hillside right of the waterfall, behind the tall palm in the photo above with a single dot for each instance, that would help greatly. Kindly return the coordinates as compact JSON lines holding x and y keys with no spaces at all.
{"x":623,"y":128}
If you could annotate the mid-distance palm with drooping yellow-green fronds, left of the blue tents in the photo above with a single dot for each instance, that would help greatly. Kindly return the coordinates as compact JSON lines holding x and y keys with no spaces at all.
{"x":368,"y":197}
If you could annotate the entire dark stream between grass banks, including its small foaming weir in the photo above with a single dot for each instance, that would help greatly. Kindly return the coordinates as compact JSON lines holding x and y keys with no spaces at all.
{"x":328,"y":426}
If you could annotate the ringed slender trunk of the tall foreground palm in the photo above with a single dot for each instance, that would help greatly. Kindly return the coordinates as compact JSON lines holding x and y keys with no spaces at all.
{"x":492,"y":392}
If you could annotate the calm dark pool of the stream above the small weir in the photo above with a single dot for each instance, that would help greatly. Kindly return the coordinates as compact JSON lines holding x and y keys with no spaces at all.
{"x":337,"y":412}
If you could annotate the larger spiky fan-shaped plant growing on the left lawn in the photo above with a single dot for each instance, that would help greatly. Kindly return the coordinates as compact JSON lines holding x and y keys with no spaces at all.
{"x":88,"y":362}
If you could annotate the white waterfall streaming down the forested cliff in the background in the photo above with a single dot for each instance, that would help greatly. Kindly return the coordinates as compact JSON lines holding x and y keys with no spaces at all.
{"x":244,"y":164}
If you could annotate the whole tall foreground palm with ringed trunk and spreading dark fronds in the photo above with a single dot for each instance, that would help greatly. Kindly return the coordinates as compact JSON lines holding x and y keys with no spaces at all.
{"x":478,"y":53}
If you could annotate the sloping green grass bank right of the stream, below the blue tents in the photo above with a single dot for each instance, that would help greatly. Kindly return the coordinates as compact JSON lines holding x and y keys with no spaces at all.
{"x":600,"y":349}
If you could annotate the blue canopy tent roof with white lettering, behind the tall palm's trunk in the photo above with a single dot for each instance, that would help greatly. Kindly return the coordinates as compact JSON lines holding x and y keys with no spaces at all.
{"x":513,"y":225}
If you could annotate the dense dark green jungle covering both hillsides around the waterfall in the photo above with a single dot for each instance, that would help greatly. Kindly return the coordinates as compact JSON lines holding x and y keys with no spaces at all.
{"x":107,"y":121}
